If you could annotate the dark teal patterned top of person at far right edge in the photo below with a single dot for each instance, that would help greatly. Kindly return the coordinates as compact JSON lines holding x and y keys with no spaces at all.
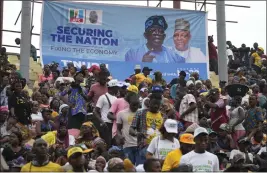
{"x":254,"y":116}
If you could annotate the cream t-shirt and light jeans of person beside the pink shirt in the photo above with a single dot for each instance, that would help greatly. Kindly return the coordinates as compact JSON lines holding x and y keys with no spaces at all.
{"x":125,"y":118}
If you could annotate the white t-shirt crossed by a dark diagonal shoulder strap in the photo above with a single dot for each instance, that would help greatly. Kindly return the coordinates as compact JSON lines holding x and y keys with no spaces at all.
{"x":103,"y":105}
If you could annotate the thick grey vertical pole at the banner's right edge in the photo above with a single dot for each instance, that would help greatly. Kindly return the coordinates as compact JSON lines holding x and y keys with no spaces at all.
{"x":221,"y":39}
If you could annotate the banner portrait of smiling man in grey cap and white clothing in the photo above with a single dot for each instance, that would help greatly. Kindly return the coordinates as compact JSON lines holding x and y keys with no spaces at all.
{"x":181,"y":39}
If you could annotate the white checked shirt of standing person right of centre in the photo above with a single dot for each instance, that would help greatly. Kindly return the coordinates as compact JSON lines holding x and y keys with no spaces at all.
{"x":185,"y":104}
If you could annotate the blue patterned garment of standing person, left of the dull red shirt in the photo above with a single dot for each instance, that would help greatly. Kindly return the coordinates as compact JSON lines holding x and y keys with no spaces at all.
{"x":78,"y":102}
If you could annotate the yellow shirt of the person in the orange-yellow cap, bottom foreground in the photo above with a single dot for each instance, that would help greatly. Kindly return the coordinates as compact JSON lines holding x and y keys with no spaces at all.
{"x":172,"y":160}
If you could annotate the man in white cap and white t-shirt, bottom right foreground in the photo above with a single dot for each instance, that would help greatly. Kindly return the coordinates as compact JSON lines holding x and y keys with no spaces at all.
{"x":199,"y":158}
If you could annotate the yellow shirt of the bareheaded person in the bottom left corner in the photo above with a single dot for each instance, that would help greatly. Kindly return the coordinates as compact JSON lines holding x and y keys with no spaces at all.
{"x":50,"y":167}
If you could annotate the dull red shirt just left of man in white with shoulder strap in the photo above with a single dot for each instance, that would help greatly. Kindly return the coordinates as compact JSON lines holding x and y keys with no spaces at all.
{"x":96,"y":91}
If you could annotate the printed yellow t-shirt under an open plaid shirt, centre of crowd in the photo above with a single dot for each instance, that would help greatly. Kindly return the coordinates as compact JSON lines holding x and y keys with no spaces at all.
{"x":153,"y":124}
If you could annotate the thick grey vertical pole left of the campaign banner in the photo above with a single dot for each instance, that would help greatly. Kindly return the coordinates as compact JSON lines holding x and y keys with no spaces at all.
{"x":25,"y":44}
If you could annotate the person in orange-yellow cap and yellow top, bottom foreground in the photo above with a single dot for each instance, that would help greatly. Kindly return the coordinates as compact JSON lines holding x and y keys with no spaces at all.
{"x":172,"y":160}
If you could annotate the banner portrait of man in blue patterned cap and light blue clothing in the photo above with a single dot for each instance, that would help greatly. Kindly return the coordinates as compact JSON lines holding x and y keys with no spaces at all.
{"x":153,"y":50}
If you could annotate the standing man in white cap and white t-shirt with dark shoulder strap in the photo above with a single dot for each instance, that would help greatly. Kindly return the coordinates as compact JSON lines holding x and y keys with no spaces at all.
{"x":102,"y":108}
